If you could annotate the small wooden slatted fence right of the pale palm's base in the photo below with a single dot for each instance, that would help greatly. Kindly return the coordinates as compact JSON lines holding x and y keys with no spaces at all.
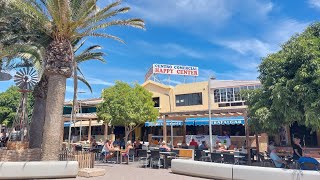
{"x":84,"y":158}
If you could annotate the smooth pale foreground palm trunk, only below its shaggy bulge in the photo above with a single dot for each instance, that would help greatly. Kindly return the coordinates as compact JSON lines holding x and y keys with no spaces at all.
{"x":53,"y":119}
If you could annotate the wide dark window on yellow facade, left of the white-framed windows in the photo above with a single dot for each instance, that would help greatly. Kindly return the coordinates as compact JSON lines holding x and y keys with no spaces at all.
{"x":189,"y":99}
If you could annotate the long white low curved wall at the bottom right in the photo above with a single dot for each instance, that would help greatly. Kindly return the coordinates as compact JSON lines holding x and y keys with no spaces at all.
{"x":238,"y":172}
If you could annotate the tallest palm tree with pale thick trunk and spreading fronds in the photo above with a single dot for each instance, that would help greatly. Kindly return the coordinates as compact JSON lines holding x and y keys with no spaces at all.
{"x":66,"y":21}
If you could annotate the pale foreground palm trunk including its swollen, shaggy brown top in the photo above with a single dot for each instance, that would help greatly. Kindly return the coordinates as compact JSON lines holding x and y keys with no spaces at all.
{"x":58,"y":67}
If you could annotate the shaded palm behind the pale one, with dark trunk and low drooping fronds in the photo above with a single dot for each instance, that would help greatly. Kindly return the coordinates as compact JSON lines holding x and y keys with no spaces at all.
{"x":32,"y":56}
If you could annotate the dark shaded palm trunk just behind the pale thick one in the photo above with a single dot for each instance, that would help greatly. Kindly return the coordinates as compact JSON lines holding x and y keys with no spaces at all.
{"x":38,"y":113}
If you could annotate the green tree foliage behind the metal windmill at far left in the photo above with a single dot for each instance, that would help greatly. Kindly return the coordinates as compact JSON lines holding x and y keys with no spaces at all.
{"x":9,"y":102}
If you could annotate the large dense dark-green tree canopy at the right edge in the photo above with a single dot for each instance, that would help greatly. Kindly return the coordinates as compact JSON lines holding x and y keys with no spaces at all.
{"x":290,"y":81}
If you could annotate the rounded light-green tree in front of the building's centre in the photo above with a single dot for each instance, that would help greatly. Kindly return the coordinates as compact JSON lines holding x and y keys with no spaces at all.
{"x":127,"y":106}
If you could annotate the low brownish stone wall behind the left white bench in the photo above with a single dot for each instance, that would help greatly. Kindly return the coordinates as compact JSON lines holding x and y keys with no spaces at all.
{"x":20,"y":155}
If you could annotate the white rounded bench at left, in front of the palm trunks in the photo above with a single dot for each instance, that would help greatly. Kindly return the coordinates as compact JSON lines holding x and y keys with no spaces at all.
{"x":38,"y":169}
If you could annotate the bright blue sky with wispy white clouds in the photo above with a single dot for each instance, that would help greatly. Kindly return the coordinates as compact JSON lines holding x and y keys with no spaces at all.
{"x":225,"y":38}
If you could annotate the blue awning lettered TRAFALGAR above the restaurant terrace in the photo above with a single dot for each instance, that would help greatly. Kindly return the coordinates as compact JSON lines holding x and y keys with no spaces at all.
{"x":218,"y":120}
